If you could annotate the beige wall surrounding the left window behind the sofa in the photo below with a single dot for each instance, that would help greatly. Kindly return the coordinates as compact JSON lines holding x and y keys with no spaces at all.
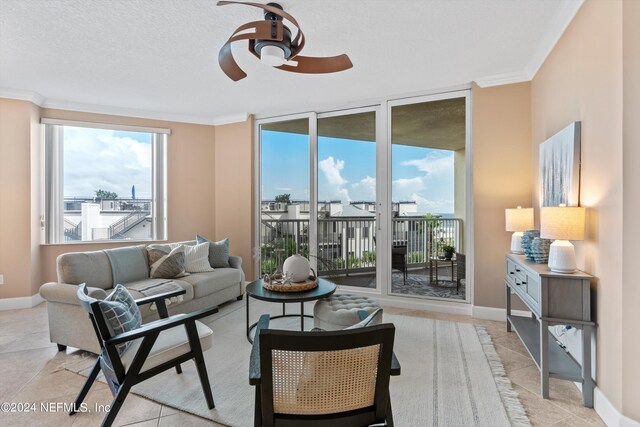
{"x":24,"y":262}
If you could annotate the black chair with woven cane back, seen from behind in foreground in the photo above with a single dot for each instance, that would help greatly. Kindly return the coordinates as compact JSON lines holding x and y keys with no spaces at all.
{"x":336,"y":378}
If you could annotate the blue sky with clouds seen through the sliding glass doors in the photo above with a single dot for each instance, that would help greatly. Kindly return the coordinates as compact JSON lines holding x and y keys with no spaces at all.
{"x":346,"y":171}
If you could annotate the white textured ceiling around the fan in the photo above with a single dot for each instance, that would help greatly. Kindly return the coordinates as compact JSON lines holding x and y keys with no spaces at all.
{"x":160,"y":56}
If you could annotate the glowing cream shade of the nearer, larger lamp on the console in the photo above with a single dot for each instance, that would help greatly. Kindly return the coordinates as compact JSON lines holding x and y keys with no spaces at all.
{"x":562,"y":223}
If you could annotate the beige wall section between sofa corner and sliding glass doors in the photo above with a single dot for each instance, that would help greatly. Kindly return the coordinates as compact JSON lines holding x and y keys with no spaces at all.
{"x":234,"y":174}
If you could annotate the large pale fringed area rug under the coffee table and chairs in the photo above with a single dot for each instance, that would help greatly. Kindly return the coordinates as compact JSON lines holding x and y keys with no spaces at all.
{"x":451,"y":375}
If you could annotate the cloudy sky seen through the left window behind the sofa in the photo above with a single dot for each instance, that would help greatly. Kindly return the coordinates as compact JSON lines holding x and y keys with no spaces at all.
{"x":106,"y":159}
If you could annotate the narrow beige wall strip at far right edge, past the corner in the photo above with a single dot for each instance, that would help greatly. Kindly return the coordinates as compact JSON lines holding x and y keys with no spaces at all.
{"x":631,"y":199}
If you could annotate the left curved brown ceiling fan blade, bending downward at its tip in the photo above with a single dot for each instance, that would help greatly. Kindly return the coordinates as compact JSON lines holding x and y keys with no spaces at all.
{"x":263,"y":30}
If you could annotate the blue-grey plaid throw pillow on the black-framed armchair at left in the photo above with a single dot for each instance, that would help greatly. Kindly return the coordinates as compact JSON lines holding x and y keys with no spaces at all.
{"x":121,"y":312}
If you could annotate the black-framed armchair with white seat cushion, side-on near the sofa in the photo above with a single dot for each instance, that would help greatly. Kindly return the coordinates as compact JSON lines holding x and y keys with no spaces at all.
{"x":148,"y":356}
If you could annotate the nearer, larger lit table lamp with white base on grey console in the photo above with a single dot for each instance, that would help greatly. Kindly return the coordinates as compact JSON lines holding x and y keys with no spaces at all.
{"x":563,"y":224}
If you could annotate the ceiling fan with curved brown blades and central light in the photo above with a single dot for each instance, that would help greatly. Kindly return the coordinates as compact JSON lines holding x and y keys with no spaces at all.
{"x":270,"y":41}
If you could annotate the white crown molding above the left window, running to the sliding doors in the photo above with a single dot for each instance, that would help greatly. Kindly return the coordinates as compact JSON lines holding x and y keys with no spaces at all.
{"x":43,"y":102}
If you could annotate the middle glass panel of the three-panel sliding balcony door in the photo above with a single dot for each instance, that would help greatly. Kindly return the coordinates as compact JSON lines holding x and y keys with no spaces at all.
{"x":347,"y":202}
